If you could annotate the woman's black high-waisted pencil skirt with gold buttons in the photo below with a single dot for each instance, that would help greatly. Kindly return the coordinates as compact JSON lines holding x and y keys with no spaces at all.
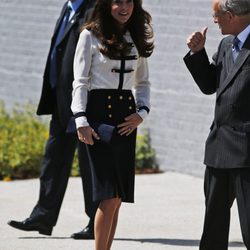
{"x":112,"y":164}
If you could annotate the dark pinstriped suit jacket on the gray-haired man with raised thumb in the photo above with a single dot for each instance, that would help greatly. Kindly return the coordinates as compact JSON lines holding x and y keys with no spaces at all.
{"x":228,"y":144}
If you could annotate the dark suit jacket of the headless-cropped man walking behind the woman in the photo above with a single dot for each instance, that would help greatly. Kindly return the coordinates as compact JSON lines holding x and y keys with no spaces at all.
{"x":58,"y":101}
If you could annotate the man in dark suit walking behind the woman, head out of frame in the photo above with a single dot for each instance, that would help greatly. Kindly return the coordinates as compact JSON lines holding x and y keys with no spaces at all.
{"x":62,"y":142}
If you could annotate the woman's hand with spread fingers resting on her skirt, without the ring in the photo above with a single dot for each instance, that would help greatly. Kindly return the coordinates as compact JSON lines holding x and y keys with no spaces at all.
{"x":131,"y":122}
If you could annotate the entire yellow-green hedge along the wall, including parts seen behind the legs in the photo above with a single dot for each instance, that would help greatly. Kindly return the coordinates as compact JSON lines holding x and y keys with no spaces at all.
{"x":22,"y":140}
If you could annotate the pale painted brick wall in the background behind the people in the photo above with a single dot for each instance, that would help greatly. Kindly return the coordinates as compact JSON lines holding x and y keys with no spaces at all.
{"x":180,"y":115}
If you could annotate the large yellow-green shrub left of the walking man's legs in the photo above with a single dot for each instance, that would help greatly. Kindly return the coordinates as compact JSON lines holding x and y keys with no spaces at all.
{"x":22,"y":138}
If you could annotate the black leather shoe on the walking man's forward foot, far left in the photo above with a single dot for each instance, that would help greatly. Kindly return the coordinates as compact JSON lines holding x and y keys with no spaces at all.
{"x":31,"y":225}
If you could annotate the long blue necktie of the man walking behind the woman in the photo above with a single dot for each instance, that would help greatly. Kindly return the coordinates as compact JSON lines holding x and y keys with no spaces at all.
{"x":53,"y":62}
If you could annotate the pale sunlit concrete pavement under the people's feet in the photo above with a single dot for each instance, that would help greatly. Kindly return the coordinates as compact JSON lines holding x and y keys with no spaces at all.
{"x":167,"y":214}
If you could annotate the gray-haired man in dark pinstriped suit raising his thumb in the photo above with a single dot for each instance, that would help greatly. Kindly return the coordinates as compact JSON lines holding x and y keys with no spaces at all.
{"x":227,"y":154}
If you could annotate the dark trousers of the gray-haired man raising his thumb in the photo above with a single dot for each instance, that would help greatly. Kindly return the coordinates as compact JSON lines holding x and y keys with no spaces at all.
{"x":221,"y":187}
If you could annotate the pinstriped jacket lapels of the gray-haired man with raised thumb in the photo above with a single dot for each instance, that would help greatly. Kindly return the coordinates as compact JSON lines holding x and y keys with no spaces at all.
{"x":241,"y":58}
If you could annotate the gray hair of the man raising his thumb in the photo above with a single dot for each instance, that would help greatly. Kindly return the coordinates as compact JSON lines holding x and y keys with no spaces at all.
{"x":236,"y":7}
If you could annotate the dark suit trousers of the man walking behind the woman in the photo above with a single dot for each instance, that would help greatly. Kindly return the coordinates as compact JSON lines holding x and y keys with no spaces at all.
{"x":55,"y":171}
